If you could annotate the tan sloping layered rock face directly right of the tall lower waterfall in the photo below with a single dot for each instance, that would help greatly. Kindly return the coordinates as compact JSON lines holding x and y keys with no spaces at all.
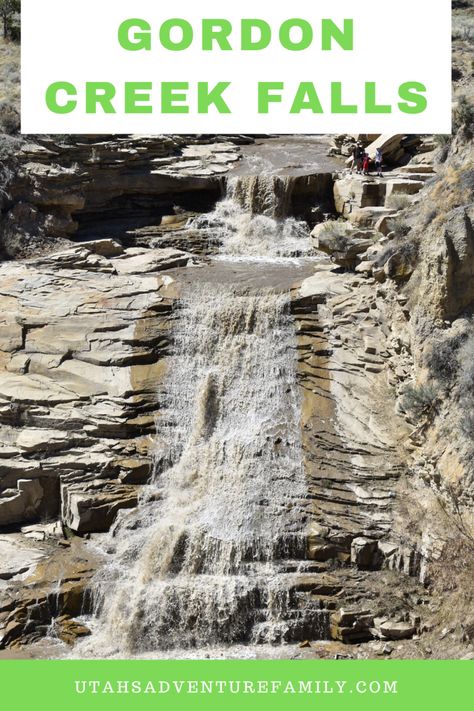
{"x":343,"y":354}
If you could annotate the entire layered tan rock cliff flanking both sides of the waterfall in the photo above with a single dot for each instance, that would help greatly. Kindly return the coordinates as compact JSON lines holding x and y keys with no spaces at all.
{"x":383,"y":326}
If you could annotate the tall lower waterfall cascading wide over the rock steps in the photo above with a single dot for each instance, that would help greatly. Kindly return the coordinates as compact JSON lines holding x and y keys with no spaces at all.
{"x":215,"y":553}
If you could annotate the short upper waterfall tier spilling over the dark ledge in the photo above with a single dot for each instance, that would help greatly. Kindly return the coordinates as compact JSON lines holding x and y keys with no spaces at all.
{"x":250,"y":222}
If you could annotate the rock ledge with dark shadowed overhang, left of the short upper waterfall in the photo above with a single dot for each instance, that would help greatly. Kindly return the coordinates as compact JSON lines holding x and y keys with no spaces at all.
{"x":105,"y":187}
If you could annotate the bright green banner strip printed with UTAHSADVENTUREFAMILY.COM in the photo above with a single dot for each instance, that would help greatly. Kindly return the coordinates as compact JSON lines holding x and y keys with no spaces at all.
{"x":243,"y":685}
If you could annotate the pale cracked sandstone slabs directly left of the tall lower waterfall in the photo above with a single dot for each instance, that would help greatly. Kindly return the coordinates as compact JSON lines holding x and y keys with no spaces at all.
{"x":81,"y":359}
